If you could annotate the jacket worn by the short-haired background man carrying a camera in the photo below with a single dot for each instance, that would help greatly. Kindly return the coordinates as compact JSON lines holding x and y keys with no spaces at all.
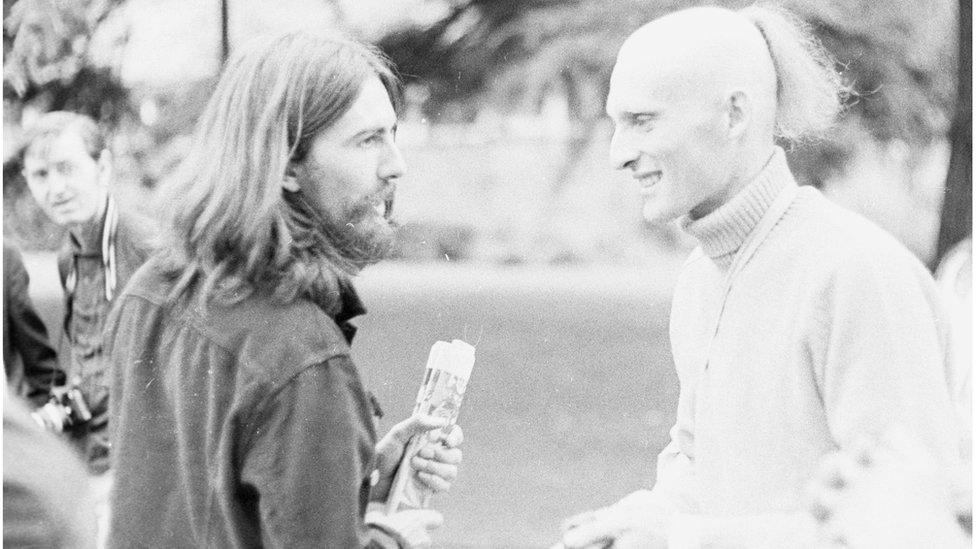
{"x":86,"y":308}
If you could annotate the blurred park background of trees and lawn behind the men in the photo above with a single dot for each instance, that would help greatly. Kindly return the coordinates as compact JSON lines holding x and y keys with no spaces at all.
{"x":517,"y":235}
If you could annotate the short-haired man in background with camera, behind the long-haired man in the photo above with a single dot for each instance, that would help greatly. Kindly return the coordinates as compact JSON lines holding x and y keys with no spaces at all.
{"x":69,"y":171}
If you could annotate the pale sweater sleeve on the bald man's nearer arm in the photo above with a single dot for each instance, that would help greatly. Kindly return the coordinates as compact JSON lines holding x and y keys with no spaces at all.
{"x":880,"y":354}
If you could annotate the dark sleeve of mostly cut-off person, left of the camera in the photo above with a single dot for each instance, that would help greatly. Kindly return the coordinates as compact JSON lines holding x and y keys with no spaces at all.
{"x":27,"y":332}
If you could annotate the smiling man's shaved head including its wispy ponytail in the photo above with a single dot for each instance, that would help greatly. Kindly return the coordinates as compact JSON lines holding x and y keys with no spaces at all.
{"x":699,"y":96}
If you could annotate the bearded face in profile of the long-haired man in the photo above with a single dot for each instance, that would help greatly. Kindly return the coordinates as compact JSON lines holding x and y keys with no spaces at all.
{"x":350,"y":171}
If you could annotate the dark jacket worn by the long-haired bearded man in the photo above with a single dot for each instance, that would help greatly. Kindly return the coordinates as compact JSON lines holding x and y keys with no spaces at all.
{"x":238,"y":426}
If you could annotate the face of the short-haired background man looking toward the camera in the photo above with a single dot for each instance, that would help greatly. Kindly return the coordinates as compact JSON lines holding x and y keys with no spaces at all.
{"x":66,"y":182}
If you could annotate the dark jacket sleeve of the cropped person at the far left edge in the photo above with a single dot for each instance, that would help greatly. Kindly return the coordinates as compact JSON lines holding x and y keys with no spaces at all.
{"x":29,"y":359}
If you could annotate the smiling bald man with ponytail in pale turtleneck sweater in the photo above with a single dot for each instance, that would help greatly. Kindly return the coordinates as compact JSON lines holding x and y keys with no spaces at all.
{"x":797,"y":328}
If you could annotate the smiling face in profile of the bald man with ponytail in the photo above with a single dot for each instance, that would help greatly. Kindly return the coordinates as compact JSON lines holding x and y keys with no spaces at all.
{"x":671,"y":135}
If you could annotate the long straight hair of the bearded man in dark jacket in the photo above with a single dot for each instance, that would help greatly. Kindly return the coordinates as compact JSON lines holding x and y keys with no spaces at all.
{"x":234,"y":229}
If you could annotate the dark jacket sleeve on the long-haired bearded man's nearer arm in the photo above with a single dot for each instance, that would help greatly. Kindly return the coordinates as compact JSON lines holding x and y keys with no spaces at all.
{"x":308,"y":457}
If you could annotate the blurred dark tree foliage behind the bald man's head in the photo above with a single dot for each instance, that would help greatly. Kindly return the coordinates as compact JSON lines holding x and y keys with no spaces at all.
{"x":514,"y":53}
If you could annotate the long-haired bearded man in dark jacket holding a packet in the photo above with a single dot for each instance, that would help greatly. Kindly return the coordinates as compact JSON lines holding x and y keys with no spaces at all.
{"x":238,"y":417}
